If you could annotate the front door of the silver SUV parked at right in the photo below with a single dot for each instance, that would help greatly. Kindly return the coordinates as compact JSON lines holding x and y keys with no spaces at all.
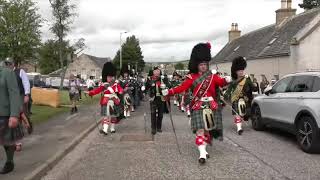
{"x":269,"y":107}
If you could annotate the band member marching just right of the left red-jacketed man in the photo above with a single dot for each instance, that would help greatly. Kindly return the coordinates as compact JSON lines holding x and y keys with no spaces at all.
{"x":127,"y":86}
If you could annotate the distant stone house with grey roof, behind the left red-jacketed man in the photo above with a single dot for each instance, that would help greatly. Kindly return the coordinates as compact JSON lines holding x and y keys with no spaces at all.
{"x":86,"y":65}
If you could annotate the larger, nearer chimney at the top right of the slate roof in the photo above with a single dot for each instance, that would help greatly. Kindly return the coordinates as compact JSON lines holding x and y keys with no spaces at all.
{"x":285,"y":12}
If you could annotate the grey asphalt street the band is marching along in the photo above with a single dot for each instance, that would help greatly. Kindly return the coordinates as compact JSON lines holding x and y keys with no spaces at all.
{"x":270,"y":154}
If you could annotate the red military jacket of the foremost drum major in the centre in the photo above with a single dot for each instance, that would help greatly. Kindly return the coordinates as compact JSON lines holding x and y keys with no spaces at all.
{"x":216,"y":81}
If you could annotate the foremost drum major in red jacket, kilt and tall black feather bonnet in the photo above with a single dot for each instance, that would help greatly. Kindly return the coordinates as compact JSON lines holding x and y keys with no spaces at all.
{"x":206,"y":113}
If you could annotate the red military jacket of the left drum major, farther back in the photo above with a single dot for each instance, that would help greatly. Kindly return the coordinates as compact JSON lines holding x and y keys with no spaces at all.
{"x":114,"y":89}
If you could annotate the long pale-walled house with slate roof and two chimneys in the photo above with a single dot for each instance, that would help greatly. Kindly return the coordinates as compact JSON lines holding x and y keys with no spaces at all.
{"x":290,"y":45}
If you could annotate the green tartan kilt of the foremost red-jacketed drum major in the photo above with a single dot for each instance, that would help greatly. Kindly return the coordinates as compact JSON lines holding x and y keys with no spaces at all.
{"x":197,"y":119}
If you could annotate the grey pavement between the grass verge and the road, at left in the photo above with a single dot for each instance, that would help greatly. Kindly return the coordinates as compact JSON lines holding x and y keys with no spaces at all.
{"x":49,"y":138}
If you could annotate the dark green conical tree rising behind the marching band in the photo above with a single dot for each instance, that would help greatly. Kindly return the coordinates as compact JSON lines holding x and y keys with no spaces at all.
{"x":131,"y":54}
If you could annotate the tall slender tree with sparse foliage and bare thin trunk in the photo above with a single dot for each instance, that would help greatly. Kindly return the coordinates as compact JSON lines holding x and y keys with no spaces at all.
{"x":63,"y":13}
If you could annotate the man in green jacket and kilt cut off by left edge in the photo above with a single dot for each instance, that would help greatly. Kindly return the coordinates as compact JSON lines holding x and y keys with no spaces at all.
{"x":10,"y":105}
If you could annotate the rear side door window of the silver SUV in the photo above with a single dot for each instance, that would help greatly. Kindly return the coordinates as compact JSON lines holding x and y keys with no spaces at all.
{"x":301,"y":84}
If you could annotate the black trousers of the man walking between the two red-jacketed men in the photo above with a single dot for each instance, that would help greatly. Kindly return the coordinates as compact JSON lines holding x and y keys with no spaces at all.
{"x":157,"y":108}
